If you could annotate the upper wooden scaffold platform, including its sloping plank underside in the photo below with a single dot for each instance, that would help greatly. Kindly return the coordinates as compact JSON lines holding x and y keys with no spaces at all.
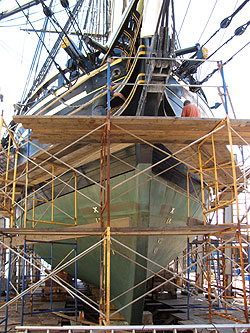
{"x":180,"y":135}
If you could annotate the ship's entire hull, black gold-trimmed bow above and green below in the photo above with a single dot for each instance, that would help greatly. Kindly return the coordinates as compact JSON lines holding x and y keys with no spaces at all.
{"x":144,"y":200}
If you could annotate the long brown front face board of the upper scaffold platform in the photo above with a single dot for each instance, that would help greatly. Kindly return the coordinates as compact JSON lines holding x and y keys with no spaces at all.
{"x":61,"y":129}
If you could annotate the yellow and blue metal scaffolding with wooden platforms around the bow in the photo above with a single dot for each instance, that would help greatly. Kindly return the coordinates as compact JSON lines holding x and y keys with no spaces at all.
{"x":216,"y":252}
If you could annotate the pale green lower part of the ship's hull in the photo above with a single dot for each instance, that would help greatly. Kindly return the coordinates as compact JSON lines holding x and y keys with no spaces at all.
{"x":147,"y":203}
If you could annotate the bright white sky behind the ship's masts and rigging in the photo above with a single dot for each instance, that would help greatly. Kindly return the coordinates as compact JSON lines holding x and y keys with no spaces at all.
{"x":196,"y":21}
